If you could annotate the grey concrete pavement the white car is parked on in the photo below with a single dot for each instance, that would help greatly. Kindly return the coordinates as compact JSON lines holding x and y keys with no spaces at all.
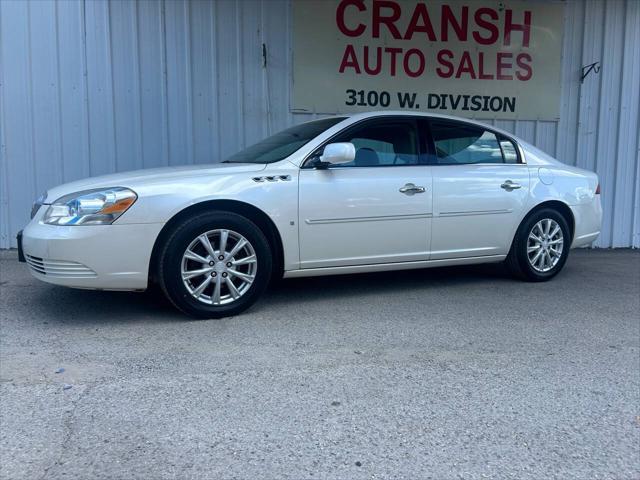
{"x":443,"y":373}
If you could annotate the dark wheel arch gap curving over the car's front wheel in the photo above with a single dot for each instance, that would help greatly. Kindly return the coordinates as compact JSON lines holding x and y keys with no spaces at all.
{"x":251,"y":212}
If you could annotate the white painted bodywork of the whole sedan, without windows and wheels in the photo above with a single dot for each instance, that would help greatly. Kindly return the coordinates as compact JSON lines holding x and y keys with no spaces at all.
{"x":340,"y":220}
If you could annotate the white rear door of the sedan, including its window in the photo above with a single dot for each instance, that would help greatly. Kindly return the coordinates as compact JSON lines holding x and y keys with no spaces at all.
{"x":480,"y":188}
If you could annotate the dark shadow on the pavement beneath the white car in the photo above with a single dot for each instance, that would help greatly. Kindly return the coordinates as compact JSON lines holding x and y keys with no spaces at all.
{"x":97,"y":307}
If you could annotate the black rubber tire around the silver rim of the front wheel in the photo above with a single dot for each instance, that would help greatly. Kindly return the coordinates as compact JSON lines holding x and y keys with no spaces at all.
{"x":171,"y":257}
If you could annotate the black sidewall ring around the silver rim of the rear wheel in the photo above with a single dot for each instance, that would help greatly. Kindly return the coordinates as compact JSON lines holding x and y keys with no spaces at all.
{"x":521,"y":245}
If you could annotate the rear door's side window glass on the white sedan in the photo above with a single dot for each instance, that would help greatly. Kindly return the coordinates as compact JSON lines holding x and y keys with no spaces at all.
{"x":466,"y":144}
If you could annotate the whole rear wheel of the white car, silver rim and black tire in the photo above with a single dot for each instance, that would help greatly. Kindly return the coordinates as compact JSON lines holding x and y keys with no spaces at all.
{"x":541,"y":246}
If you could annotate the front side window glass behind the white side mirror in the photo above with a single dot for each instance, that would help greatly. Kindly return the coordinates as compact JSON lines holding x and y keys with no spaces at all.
{"x":382,"y":143}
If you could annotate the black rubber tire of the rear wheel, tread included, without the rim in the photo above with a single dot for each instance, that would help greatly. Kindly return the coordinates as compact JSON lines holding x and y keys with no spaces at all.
{"x":518,"y":262}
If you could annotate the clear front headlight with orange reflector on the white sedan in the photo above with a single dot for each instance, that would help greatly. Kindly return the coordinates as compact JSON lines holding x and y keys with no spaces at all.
{"x":91,"y":207}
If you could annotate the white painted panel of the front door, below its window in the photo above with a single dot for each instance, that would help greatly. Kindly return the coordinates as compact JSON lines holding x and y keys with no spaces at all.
{"x":356,"y":216}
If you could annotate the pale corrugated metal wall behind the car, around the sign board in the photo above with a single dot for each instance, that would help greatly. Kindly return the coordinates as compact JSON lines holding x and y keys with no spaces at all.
{"x":91,"y":87}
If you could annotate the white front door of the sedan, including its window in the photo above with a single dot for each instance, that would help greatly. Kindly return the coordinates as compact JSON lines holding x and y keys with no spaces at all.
{"x":376,"y":209}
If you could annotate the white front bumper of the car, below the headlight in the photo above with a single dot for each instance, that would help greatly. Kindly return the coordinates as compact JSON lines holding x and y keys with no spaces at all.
{"x":105,"y":257}
